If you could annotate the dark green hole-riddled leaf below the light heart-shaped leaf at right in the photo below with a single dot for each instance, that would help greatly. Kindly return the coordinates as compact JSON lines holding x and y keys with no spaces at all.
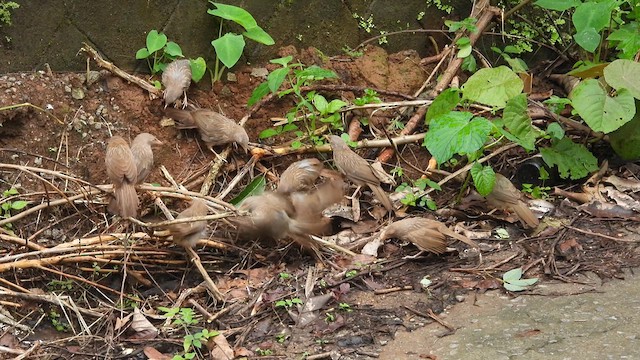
{"x":573,"y":160}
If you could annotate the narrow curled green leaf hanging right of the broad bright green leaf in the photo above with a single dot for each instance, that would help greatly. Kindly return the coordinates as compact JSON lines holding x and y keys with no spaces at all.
{"x":517,"y":120}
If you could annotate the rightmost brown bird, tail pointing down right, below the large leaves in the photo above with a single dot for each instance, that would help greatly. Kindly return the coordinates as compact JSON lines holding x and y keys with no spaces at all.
{"x":506,"y":197}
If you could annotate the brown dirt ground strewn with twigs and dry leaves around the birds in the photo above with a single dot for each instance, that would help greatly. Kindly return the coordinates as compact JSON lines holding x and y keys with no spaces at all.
{"x":359,"y":302}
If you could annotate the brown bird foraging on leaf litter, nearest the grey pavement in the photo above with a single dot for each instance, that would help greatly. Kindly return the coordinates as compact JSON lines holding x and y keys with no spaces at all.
{"x":426,"y":234}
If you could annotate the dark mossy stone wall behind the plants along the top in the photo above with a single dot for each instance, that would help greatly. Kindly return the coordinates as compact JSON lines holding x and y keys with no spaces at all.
{"x":52,"y":31}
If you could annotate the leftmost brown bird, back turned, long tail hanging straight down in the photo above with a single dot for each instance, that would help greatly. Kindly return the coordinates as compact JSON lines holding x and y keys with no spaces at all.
{"x":121,"y":169}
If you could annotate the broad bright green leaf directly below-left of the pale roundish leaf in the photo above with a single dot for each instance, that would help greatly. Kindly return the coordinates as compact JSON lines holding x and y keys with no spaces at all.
{"x":453,"y":133}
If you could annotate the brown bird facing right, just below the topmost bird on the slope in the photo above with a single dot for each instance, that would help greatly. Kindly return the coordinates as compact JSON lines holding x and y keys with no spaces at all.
{"x":215,"y":129}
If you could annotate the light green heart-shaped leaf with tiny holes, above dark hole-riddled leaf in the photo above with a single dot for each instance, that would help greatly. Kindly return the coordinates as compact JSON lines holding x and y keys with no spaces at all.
{"x":599,"y":110}
